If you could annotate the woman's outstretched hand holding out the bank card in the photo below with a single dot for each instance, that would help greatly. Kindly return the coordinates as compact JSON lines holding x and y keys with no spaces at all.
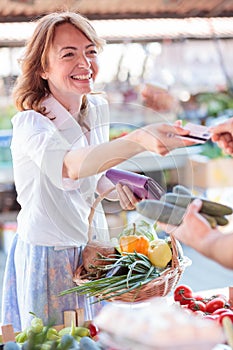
{"x":162,"y":138}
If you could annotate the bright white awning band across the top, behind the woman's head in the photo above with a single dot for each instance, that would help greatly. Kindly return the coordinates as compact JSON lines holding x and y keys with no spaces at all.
{"x":135,"y":30}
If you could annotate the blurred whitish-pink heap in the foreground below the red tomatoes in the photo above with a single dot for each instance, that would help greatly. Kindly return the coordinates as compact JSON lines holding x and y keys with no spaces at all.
{"x":157,"y":325}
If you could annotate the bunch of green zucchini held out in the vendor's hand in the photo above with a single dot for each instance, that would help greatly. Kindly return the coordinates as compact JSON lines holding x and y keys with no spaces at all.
{"x":172,"y":206}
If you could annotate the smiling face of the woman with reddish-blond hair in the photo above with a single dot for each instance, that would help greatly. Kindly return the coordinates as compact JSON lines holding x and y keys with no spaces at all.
{"x":72,"y":58}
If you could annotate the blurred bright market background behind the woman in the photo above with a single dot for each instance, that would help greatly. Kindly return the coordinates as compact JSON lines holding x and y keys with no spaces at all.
{"x":164,"y":60}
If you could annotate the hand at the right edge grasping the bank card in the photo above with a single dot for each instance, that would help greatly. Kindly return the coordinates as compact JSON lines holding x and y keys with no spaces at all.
{"x":222,"y":134}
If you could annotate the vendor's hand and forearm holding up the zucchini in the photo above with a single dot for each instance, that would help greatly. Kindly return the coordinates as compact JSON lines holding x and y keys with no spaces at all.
{"x":196,"y":232}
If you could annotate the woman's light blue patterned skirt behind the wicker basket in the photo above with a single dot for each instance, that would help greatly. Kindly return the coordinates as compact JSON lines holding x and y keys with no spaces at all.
{"x":34,"y":276}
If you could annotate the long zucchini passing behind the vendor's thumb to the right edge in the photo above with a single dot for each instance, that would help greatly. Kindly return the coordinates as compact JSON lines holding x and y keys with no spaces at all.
{"x":208,"y":207}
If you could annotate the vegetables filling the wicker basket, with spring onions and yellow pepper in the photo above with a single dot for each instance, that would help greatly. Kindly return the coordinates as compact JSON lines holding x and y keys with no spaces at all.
{"x":140,"y":257}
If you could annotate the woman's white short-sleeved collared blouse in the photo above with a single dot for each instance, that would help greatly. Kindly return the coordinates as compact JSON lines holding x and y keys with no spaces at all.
{"x":54,"y":210}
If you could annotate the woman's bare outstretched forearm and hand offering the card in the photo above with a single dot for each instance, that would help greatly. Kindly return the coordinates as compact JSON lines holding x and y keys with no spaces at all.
{"x":158,"y":138}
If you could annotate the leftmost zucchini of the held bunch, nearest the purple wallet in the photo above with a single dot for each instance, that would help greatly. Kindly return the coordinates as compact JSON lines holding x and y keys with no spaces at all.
{"x":161,"y":211}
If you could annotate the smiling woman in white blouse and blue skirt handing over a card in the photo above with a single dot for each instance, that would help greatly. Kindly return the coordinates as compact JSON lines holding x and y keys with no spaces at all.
{"x":60,"y":150}
